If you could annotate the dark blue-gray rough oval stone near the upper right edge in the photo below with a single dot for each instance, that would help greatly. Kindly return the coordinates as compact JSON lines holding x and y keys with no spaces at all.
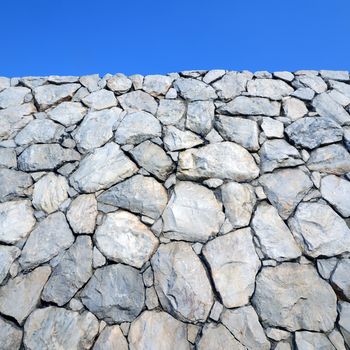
{"x":311,"y":132}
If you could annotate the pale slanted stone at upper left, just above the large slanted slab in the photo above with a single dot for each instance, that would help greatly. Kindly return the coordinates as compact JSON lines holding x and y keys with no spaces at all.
{"x":97,"y":128}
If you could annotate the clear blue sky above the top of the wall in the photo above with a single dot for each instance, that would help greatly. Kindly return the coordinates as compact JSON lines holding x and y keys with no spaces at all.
{"x":76,"y":37}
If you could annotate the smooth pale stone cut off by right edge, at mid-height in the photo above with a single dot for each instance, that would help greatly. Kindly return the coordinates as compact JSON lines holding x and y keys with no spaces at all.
{"x":336,"y":191}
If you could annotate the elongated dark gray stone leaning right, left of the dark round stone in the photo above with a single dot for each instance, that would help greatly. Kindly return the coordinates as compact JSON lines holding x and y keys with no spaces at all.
{"x":71,"y":273}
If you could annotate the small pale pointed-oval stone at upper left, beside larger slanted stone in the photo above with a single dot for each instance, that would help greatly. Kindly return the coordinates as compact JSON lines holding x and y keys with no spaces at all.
{"x":67,"y":113}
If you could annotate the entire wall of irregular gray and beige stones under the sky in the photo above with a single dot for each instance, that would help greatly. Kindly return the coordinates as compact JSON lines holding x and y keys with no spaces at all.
{"x":199,"y":210}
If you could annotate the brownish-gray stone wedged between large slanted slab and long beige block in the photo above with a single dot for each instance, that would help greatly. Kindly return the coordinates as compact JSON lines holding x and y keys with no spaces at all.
{"x":153,"y":158}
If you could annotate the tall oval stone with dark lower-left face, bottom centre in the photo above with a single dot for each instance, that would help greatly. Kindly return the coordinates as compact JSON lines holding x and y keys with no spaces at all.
{"x":181,"y":282}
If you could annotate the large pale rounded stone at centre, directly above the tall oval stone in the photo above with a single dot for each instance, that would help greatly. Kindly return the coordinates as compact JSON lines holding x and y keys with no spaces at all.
{"x":193,"y":213}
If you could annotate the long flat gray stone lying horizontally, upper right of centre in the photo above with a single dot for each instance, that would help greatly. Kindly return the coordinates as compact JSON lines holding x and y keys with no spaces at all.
{"x":251,"y":106}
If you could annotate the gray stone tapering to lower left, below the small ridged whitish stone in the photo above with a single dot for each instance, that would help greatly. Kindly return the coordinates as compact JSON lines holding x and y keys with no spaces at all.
{"x":50,"y":237}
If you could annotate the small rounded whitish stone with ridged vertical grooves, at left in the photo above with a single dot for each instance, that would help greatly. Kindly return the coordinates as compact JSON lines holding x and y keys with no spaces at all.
{"x":49,"y":192}
